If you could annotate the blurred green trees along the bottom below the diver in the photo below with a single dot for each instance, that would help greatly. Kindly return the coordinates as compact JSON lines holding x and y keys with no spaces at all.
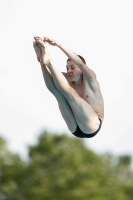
{"x":62,"y":168}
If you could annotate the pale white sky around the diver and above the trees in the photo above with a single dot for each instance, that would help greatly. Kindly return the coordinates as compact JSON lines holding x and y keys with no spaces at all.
{"x":100,"y":31}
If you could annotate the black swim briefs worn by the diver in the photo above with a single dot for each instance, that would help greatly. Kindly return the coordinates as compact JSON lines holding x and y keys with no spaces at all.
{"x":80,"y":134}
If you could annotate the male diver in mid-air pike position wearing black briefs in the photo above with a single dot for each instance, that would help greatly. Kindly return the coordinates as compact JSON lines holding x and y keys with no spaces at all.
{"x":77,"y":91}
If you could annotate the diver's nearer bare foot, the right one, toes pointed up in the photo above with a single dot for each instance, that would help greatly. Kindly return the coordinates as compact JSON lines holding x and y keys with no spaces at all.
{"x":45,"y":56}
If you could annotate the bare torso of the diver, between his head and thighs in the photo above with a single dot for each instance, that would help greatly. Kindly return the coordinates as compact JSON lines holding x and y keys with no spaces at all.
{"x":91,"y":93}
